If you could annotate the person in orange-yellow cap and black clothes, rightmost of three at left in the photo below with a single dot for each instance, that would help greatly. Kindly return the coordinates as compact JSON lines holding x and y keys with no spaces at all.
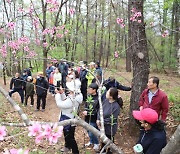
{"x":42,"y":86}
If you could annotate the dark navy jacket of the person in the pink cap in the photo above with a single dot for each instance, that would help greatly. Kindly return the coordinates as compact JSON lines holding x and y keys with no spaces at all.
{"x":152,"y":141}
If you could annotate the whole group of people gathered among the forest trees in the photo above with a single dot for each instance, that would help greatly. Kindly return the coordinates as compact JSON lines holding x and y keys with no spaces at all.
{"x":74,"y":85}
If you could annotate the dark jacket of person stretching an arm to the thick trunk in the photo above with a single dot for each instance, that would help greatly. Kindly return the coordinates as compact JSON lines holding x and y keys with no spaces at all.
{"x":113,"y":83}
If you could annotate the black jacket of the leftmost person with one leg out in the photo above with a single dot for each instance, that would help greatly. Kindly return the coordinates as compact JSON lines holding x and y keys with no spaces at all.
{"x":17,"y":83}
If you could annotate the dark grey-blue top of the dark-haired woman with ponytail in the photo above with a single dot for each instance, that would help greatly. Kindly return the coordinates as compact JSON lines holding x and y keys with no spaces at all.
{"x":110,"y":115}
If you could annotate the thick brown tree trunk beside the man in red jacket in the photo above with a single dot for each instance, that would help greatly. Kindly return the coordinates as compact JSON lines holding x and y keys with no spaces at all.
{"x":140,"y":59}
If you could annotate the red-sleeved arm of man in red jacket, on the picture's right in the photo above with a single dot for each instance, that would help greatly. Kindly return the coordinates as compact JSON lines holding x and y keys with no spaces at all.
{"x":165,"y":108}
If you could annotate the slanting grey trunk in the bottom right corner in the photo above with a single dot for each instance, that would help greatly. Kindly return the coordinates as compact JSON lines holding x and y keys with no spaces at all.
{"x":174,"y":143}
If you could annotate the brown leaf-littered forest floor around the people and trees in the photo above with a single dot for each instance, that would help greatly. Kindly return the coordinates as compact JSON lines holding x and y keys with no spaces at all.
{"x":17,"y":137}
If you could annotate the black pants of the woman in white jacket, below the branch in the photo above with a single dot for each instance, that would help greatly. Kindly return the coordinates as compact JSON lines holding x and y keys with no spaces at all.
{"x":70,"y":141}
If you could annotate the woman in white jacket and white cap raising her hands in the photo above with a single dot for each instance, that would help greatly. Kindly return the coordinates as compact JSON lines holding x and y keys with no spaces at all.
{"x":69,"y":107}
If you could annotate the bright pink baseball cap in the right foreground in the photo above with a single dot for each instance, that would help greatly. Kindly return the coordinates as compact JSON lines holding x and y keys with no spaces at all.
{"x":146,"y":114}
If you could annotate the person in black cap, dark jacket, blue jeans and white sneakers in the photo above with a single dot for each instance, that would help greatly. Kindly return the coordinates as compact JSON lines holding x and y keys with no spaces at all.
{"x":90,"y":113}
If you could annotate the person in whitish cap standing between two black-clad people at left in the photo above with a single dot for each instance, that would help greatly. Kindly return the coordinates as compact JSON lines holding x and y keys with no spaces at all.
{"x":29,"y":90}
